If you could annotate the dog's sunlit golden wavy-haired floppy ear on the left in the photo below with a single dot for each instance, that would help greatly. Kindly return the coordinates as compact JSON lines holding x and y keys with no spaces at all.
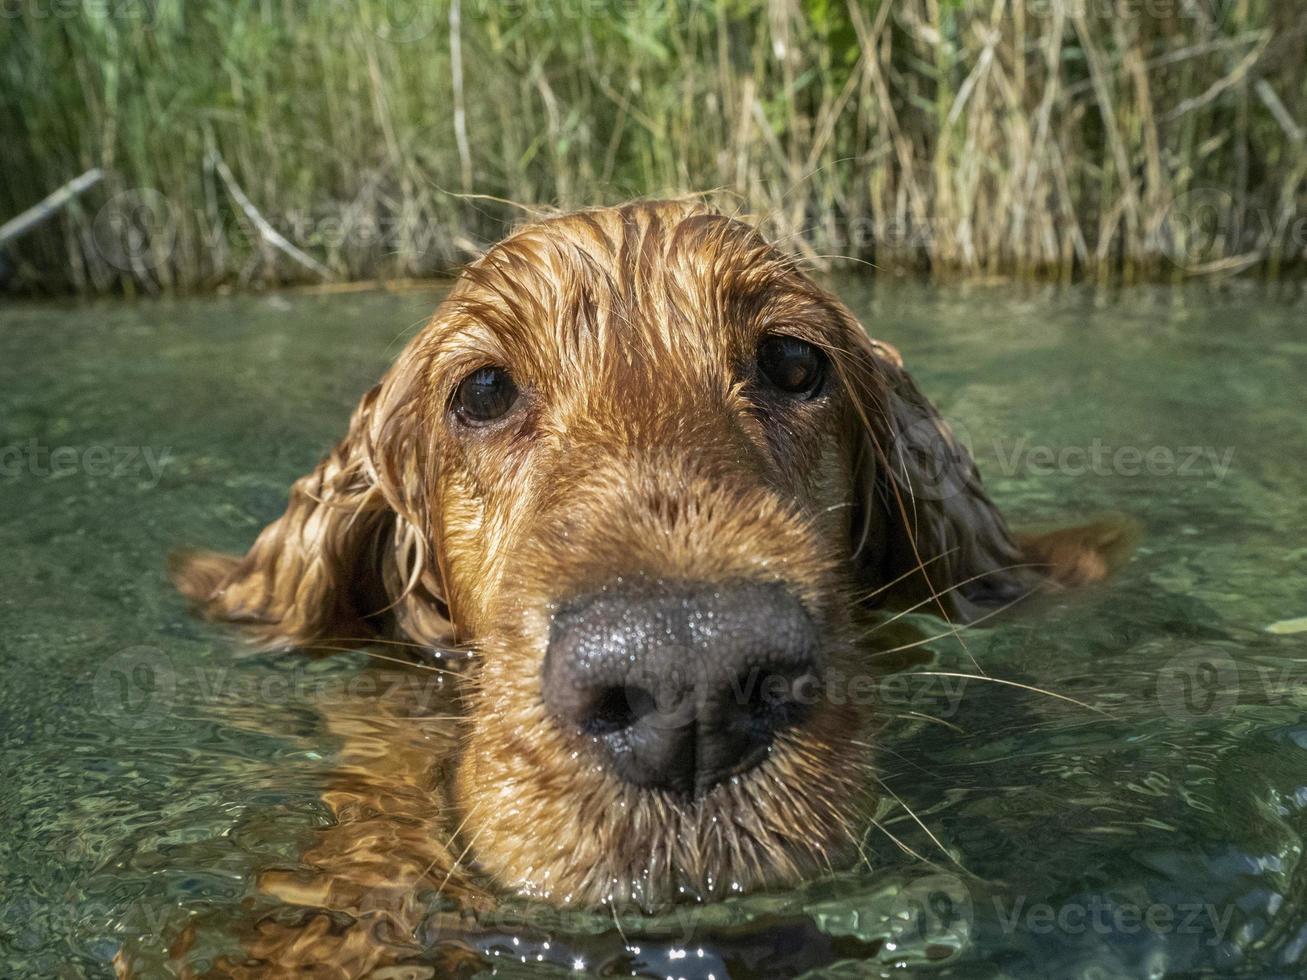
{"x":351,"y":559}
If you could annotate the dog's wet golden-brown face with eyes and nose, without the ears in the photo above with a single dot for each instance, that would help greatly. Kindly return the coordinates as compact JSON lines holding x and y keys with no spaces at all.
{"x":649,"y":519}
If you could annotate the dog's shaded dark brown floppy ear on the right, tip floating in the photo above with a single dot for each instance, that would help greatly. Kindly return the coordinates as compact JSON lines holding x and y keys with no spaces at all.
{"x":927,"y":535}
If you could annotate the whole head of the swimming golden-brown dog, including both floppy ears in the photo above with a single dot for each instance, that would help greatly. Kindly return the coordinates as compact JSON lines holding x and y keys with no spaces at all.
{"x":652,"y":476}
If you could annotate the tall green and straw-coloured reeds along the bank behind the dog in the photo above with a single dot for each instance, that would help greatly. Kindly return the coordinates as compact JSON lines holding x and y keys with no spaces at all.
{"x":1112,"y":139}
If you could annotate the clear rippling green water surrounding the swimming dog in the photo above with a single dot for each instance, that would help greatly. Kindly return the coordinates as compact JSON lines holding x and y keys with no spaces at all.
{"x":151,"y":769}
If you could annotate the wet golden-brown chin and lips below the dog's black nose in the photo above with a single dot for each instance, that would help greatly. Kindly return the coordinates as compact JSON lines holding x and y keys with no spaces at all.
{"x":574,"y":836}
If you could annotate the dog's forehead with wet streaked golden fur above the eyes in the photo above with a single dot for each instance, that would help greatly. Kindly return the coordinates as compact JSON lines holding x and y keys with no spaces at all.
{"x":655,"y":279}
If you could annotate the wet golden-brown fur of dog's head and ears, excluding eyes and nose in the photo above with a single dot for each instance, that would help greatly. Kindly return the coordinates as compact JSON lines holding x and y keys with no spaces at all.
{"x":644,"y":453}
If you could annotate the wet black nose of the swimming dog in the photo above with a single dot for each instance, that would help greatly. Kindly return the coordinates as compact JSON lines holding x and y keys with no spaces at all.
{"x":683,"y":687}
